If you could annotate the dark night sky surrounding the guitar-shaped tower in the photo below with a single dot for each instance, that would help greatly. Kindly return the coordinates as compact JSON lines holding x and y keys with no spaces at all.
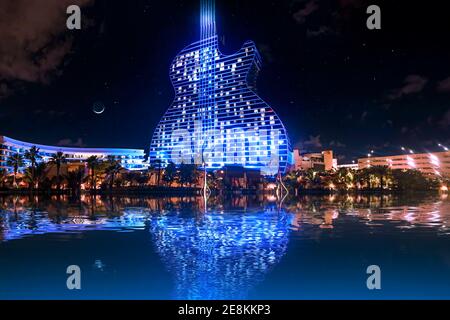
{"x":334,"y":83}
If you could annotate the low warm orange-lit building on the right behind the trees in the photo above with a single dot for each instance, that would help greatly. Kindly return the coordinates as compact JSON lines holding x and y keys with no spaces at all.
{"x":435,"y":163}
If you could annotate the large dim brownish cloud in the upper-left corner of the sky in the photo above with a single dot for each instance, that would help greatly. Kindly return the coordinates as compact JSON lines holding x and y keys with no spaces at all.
{"x":34,"y":41}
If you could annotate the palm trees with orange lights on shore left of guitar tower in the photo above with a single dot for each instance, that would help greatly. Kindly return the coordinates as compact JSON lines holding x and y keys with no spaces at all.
{"x":92,"y":174}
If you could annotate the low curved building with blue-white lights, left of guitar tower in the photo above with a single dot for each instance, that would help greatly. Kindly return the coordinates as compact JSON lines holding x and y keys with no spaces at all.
{"x":131,"y":159}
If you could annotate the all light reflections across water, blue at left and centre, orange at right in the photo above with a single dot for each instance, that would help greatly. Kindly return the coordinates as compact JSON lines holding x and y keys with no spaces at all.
{"x":225,"y":254}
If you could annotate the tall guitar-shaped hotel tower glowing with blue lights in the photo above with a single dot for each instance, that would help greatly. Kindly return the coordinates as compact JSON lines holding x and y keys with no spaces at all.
{"x":217,"y":119}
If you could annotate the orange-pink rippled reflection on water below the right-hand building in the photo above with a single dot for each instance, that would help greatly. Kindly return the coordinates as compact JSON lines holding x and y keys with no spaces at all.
{"x":371,"y":210}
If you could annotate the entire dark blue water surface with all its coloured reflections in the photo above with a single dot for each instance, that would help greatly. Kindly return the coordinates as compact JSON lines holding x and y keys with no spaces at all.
{"x":310,"y":247}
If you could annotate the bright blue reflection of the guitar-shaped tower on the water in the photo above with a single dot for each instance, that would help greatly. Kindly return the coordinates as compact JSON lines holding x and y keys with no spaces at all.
{"x":220,"y":256}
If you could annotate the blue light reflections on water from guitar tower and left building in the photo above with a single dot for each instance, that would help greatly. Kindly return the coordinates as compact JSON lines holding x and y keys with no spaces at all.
{"x":218,"y":255}
